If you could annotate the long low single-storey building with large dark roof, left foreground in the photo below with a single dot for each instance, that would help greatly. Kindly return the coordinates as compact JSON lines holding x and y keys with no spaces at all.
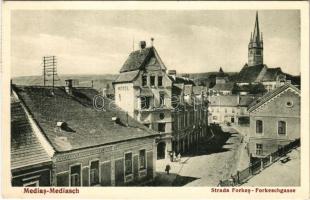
{"x":90,"y":141}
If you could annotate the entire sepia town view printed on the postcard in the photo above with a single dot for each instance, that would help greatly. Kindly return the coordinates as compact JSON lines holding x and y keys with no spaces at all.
{"x":156,"y":98}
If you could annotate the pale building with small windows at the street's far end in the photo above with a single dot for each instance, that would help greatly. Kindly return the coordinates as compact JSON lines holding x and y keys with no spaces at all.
{"x":230,"y":109}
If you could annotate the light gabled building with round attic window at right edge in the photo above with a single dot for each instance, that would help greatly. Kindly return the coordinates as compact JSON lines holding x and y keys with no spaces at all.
{"x":274,"y":120}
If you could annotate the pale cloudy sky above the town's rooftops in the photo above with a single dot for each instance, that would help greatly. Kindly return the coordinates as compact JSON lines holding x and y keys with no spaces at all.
{"x":99,"y":42}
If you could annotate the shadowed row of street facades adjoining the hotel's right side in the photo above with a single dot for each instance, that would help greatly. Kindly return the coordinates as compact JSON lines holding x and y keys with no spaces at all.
{"x":190,"y":114}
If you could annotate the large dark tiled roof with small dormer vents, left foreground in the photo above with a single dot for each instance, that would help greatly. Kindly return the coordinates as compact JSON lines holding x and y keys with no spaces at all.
{"x":86,"y":126}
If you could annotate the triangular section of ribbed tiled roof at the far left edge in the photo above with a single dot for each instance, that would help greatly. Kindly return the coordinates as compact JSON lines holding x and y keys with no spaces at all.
{"x":26,"y":150}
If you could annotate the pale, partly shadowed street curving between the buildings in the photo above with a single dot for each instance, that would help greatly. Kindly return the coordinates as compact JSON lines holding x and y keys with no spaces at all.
{"x":215,"y":160}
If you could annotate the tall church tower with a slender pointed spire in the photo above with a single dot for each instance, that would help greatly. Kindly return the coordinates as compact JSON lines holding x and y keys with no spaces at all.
{"x":255,"y":54}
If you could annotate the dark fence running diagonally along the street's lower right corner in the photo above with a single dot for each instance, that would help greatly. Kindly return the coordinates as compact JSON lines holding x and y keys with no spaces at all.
{"x":258,"y":165}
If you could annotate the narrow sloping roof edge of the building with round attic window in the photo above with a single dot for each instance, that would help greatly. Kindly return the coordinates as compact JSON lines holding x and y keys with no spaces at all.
{"x":269,"y":95}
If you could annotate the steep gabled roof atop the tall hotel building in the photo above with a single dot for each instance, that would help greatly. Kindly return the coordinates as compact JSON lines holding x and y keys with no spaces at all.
{"x":138,"y":59}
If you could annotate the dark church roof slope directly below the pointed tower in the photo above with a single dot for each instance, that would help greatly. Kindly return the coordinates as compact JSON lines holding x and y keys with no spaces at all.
{"x":249,"y":73}
